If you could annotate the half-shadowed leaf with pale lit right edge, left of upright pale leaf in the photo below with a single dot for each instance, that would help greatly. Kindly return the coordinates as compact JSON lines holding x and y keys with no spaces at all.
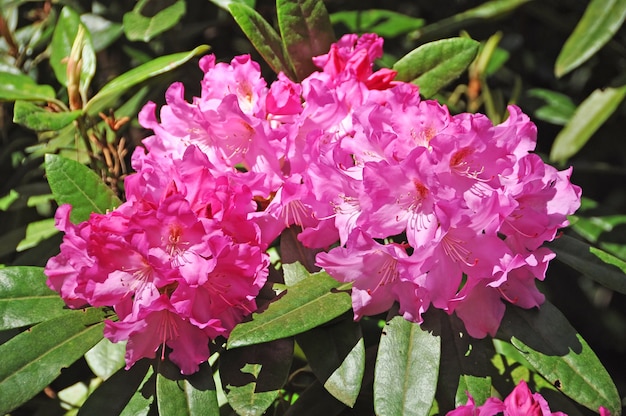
{"x":336,"y":354}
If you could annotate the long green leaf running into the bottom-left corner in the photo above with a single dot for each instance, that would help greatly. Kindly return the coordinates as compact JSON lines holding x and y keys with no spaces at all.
{"x":33,"y":359}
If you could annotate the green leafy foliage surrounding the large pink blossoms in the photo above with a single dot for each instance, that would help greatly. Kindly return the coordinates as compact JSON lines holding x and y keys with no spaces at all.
{"x":73,"y":77}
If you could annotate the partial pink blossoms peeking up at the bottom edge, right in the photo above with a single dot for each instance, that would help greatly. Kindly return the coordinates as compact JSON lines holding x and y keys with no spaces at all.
{"x":521,"y":402}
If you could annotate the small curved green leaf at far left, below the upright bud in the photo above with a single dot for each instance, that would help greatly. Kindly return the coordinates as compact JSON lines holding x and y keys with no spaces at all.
{"x":37,"y":118}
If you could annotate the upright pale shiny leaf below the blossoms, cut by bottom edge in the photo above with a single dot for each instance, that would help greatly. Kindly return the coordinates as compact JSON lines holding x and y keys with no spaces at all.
{"x":407,"y":369}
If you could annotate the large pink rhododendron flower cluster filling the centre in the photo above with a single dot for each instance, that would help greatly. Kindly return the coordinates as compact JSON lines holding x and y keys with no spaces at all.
{"x":427,"y":208}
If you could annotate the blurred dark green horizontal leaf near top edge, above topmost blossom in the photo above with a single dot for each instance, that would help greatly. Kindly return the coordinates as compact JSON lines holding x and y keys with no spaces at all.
{"x":385,"y":23}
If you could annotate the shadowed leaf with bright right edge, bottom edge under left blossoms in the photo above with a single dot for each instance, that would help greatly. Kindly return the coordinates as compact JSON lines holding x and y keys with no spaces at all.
{"x":123,"y":393}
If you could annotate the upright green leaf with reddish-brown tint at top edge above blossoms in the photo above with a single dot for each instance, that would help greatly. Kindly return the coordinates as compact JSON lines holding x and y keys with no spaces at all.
{"x":306,"y":32}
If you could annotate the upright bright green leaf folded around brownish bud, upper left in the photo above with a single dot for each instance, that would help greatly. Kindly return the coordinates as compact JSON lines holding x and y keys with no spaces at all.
{"x":65,"y":34}
